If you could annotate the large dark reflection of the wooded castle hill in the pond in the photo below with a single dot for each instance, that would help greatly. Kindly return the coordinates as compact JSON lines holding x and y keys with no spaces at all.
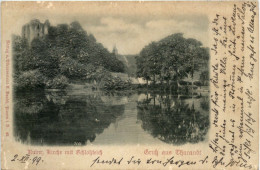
{"x":57,"y":119}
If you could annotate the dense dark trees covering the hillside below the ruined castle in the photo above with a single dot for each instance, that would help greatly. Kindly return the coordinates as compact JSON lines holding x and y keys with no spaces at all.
{"x":66,"y":53}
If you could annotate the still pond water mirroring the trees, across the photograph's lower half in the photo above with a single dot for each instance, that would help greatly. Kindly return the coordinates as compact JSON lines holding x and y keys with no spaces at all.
{"x":93,"y":117}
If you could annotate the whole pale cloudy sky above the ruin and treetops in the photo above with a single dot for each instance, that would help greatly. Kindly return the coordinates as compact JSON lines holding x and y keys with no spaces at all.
{"x":130,"y":33}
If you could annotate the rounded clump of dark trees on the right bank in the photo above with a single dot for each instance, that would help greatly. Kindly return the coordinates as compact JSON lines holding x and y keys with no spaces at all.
{"x":172,"y":59}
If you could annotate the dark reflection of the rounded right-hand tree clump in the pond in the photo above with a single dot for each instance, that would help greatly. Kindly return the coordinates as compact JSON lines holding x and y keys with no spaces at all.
{"x":172,"y":120}
